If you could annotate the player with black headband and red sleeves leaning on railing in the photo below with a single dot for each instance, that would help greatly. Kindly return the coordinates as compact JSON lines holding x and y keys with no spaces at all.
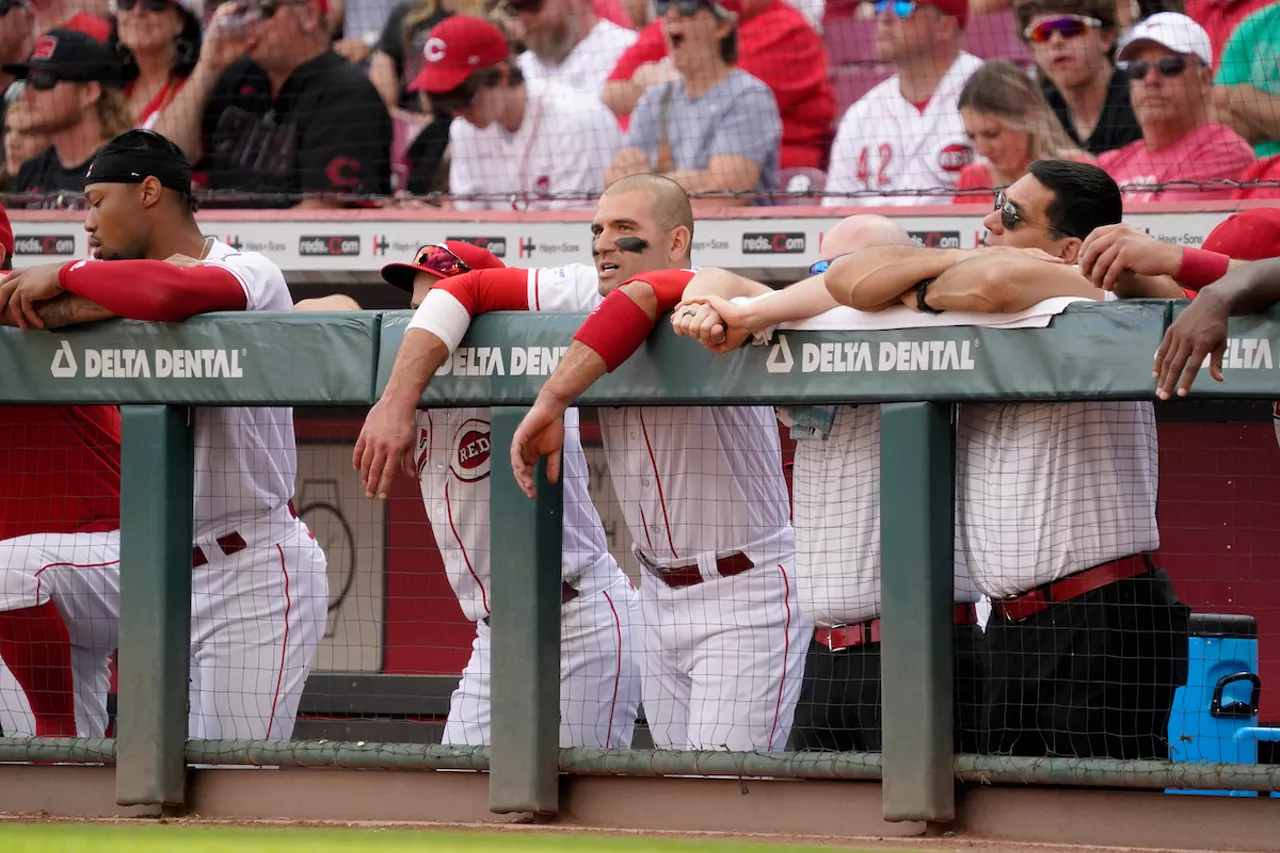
{"x":259,"y":586}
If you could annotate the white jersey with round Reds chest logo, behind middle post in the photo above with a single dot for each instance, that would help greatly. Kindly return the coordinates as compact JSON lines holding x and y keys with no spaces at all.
{"x":454,"y":458}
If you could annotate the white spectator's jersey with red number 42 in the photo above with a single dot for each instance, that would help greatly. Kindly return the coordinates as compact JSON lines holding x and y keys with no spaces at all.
{"x":888,"y":144}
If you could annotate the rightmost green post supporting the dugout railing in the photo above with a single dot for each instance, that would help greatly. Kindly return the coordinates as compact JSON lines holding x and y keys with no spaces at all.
{"x":917,"y":596}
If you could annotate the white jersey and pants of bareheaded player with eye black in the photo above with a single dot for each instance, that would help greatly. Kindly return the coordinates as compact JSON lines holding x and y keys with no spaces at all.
{"x":724,"y":656}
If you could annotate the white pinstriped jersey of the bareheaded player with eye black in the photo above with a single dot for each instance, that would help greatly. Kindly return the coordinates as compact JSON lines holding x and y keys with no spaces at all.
{"x":696,"y":482}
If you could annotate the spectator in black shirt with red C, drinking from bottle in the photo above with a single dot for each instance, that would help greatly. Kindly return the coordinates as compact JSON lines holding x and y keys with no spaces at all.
{"x":276,"y":118}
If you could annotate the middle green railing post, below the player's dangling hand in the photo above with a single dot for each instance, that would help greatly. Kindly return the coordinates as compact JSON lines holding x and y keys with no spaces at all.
{"x":525,"y":604}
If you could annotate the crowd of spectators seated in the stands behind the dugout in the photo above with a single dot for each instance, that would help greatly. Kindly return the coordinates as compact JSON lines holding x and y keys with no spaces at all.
{"x":541,"y":104}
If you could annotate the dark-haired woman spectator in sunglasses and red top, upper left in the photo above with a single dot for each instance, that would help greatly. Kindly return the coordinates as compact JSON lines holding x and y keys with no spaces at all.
{"x":159,"y":44}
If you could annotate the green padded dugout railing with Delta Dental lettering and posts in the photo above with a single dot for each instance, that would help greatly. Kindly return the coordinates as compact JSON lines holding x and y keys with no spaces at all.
{"x":1090,"y":353}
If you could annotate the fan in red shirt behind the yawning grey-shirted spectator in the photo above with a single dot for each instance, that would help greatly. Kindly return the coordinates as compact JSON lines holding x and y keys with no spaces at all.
{"x":776,"y":45}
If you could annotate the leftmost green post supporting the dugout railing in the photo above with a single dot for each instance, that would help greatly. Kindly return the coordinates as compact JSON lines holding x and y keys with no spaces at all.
{"x":157,"y":487}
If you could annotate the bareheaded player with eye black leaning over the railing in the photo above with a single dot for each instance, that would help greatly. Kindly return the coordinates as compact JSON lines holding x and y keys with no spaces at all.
{"x":701,"y":487}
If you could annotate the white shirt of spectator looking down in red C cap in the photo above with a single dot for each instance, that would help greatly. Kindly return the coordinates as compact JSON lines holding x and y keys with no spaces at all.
{"x":556,"y":161}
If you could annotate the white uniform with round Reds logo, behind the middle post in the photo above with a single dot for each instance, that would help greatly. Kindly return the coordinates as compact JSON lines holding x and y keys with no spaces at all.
{"x":600,"y":672}
